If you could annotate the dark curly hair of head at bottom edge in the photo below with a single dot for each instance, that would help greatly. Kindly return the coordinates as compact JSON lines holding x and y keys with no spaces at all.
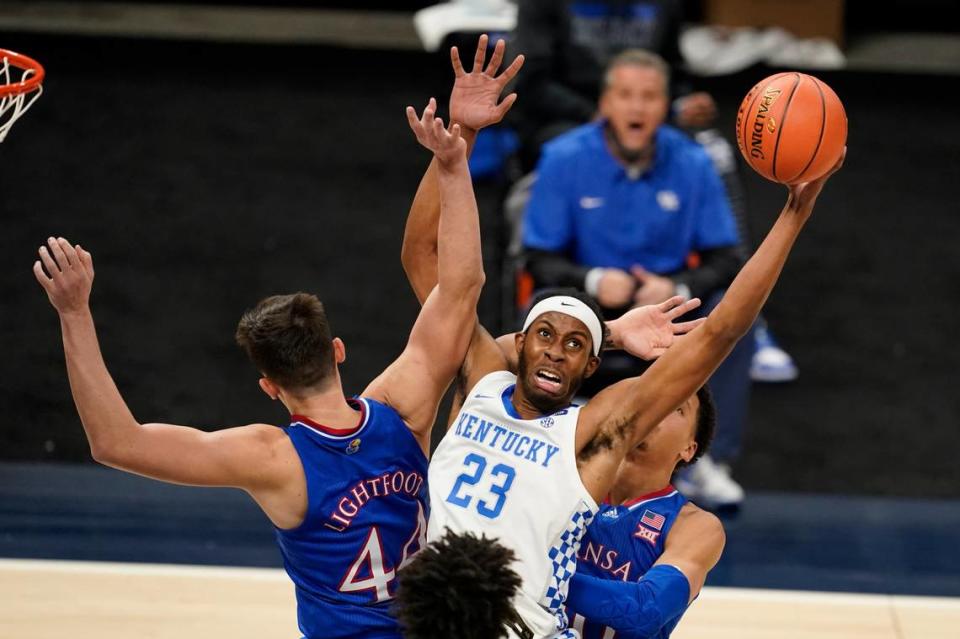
{"x":460,"y":586}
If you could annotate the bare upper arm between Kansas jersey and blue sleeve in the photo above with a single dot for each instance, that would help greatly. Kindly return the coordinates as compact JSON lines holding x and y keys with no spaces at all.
{"x":694,"y":546}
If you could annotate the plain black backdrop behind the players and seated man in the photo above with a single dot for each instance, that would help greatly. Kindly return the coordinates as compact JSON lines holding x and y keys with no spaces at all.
{"x":204,"y":177}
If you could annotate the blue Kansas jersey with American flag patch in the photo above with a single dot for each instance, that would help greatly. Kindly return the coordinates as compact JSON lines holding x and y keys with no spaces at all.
{"x":623,"y":542}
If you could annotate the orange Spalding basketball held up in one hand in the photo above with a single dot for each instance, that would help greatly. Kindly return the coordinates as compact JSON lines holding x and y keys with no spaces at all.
{"x":791,"y":128}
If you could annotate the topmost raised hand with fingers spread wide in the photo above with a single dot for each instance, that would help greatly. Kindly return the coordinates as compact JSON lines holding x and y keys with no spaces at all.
{"x":473,"y":101}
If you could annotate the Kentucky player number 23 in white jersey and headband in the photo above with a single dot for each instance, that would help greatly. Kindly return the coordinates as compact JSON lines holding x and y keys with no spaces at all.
{"x":537,"y":499}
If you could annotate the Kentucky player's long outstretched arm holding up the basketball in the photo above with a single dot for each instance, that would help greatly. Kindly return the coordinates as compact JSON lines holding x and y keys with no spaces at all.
{"x":622,"y":415}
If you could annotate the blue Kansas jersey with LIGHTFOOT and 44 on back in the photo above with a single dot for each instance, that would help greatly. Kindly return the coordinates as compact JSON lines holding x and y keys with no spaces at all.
{"x":366,"y":518}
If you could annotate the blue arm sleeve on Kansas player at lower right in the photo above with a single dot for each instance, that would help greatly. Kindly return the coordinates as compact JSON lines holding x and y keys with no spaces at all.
{"x":634,"y":609}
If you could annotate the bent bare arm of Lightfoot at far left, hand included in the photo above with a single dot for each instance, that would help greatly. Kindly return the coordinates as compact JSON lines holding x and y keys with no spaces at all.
{"x":231,"y":457}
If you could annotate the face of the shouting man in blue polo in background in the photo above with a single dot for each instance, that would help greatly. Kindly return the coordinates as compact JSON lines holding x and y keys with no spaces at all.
{"x":634,"y":104}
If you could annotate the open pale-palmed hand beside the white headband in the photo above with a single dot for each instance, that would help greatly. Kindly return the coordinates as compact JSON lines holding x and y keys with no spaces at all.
{"x":648,"y":331}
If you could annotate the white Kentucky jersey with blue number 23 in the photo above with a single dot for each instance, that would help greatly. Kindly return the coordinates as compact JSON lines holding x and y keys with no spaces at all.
{"x":515,"y":480}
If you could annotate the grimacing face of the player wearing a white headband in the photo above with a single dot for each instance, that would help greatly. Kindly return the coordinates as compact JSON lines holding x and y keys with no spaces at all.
{"x":557,"y":351}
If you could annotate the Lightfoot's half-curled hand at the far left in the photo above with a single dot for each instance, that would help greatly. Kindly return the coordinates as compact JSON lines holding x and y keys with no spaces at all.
{"x":70,"y":276}
